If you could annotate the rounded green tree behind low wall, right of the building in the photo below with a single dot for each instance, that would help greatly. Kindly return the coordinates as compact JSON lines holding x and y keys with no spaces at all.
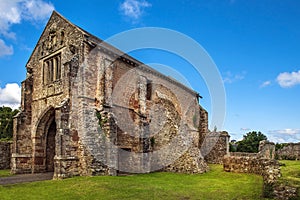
{"x":250,"y":142}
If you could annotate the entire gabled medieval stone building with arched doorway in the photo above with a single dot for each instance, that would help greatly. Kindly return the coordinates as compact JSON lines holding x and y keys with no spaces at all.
{"x":89,"y":109}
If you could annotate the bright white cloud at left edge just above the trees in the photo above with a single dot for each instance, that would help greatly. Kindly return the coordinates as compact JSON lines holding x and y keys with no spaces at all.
{"x":10,"y":95}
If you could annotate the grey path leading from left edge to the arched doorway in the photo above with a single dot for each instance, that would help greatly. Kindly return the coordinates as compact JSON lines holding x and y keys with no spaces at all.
{"x":24,"y":178}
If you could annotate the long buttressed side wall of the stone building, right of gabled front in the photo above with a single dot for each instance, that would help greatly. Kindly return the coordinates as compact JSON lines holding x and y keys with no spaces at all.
{"x":146,"y":121}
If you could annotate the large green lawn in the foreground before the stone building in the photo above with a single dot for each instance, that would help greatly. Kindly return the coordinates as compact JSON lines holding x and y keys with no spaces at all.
{"x":215,"y":184}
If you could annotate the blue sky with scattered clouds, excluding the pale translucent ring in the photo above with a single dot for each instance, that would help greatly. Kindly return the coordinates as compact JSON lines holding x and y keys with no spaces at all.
{"x":255,"y":45}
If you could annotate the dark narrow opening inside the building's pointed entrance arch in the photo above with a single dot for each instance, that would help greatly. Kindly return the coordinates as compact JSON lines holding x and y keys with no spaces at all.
{"x":50,"y":147}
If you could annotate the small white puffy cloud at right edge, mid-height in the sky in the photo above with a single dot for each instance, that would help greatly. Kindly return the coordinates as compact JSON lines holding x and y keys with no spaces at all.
{"x":287,"y":79}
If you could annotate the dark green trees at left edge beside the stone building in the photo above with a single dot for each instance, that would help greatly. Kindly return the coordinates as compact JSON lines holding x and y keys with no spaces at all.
{"x":6,"y":122}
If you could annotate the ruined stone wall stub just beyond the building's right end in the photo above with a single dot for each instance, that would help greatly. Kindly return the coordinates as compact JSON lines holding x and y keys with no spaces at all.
{"x":215,"y":147}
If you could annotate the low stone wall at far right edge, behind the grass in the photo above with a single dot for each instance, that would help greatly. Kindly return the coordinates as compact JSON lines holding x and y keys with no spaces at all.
{"x":289,"y":152}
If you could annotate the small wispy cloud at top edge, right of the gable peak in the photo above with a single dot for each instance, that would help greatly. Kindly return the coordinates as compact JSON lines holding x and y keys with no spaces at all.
{"x":134,"y":9}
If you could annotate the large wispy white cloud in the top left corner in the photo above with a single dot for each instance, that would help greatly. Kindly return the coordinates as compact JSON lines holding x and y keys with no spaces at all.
{"x":14,"y":11}
